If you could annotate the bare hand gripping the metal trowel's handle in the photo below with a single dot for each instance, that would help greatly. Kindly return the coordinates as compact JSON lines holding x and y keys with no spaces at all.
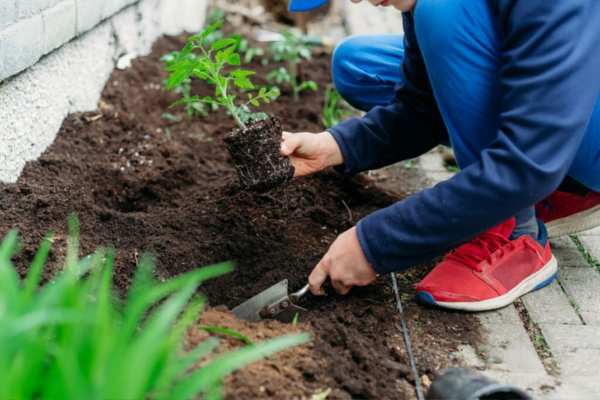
{"x":345,"y":264}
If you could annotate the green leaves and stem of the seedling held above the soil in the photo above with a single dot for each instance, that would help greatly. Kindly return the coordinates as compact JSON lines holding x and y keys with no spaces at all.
{"x":217,"y":63}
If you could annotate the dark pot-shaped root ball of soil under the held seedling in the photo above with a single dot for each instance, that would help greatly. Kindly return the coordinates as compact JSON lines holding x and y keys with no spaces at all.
{"x":255,"y":154}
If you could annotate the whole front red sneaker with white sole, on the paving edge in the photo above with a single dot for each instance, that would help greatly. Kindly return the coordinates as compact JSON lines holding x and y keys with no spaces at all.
{"x":489,"y":272}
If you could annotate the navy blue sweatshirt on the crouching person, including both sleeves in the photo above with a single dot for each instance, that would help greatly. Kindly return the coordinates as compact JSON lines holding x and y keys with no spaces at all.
{"x":550,"y":82}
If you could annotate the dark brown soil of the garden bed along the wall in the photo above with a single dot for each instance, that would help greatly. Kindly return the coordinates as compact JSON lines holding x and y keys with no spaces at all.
{"x":141,"y":182}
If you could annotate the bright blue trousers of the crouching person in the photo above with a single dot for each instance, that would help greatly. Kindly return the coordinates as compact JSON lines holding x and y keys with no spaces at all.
{"x":461,"y":49}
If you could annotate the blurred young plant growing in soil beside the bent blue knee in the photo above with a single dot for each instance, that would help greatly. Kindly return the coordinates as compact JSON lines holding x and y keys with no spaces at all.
{"x":291,"y":49}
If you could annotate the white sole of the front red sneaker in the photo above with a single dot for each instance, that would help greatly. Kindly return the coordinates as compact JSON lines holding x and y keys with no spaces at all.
{"x":542,"y":278}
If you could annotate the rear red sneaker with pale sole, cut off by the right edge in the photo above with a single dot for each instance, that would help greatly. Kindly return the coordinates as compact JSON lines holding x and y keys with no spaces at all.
{"x":567,"y":213}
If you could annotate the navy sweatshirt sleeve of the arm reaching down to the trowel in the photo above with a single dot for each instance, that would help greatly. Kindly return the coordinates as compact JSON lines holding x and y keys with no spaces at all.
{"x":550,"y":84}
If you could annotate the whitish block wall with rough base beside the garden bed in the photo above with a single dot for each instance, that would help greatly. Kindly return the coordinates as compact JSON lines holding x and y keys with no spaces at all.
{"x":56,"y":55}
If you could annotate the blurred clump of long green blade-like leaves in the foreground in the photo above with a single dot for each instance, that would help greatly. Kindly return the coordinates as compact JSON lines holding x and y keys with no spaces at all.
{"x":73,"y":339}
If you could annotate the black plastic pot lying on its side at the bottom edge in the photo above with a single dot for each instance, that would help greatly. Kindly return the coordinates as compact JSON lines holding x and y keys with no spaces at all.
{"x":465,"y":384}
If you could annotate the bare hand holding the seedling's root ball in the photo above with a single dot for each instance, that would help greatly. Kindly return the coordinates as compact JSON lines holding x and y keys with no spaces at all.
{"x":311,"y":152}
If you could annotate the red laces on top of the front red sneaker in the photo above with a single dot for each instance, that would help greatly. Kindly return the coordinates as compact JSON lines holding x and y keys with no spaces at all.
{"x":471,"y":254}
